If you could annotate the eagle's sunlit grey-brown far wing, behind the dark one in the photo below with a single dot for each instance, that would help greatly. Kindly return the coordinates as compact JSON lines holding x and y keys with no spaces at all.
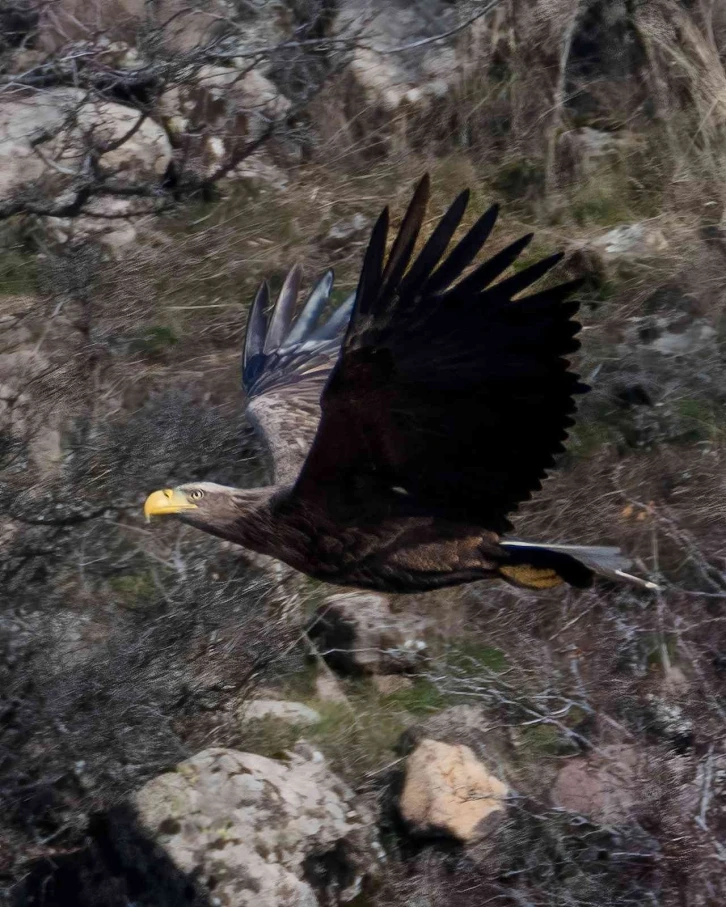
{"x":285,"y":366}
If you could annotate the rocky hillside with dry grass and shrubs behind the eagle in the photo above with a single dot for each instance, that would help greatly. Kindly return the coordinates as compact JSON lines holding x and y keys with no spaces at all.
{"x":181,"y":723}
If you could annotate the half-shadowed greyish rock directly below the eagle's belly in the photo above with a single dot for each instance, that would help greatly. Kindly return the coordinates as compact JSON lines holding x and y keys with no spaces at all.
{"x":357,"y":633}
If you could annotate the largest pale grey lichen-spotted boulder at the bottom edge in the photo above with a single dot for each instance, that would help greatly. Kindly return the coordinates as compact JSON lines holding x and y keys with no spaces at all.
{"x":260,"y":832}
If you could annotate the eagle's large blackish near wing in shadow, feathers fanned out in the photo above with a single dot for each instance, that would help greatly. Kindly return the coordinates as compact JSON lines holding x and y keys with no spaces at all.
{"x":452,"y":394}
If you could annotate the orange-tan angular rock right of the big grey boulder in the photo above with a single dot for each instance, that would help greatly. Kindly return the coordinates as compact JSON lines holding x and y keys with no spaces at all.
{"x":447,"y":790}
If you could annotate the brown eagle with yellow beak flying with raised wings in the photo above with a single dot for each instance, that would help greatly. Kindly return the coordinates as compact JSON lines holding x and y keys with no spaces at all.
{"x":406,"y":427}
